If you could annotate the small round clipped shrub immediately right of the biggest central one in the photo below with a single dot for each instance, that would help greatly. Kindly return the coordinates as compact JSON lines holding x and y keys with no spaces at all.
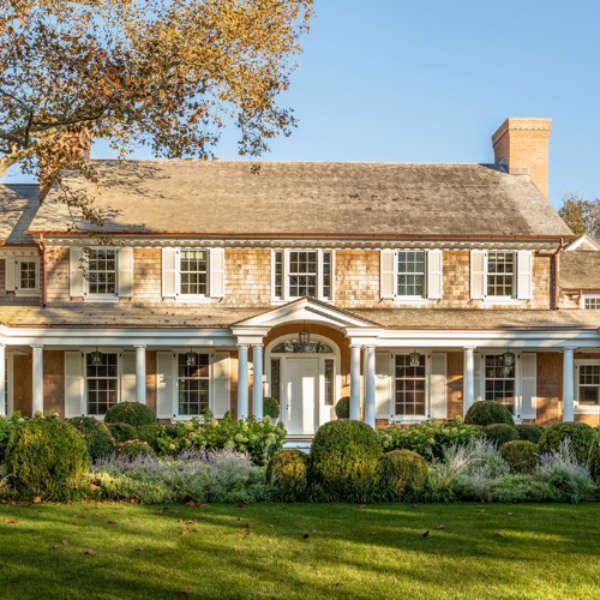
{"x":402,"y":472}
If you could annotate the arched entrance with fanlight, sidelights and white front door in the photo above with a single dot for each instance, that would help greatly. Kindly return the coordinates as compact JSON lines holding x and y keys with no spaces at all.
{"x":304,"y":374}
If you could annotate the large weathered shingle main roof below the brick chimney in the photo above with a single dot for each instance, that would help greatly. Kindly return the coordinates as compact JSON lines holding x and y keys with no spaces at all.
{"x":312,"y":198}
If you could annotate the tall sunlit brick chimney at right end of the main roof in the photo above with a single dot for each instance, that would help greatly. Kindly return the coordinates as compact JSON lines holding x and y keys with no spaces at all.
{"x":521,"y":144}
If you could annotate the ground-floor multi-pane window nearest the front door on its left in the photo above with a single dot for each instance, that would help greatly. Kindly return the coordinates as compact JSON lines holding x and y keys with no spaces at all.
{"x":193,"y":375}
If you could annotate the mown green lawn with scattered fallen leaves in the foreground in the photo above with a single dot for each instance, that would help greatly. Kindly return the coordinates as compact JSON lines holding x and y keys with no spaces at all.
{"x":300,"y":551}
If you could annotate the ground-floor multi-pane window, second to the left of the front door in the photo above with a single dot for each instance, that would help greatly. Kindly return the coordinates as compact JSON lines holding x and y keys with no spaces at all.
{"x":102,"y":379}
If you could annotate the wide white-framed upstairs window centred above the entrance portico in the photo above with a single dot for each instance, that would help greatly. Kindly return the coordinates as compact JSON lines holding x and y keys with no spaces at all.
{"x":298,"y":273}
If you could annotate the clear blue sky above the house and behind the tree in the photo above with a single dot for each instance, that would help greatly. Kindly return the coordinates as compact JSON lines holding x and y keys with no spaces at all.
{"x":402,"y":81}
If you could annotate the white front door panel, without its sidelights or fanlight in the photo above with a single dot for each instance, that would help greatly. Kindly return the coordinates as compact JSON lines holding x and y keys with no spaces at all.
{"x":300,"y":395}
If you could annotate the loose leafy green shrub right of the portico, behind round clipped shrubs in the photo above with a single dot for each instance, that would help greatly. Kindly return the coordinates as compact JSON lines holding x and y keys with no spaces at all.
{"x":428,"y":438}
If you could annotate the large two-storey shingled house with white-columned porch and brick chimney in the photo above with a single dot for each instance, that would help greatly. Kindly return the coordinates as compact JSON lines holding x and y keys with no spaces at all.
{"x":415,"y":289}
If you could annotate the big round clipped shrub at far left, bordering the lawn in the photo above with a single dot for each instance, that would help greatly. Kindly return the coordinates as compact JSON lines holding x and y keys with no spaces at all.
{"x":46,"y":457}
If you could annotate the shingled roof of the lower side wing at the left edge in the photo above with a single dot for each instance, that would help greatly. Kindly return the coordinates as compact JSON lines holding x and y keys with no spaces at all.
{"x":18,"y":204}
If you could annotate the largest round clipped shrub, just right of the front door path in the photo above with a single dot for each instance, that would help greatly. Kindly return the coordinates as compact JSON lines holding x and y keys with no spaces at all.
{"x":345,"y":461}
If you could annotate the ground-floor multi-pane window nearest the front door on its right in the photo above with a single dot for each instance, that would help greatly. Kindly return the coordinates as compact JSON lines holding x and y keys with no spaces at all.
{"x":410,"y":385}
